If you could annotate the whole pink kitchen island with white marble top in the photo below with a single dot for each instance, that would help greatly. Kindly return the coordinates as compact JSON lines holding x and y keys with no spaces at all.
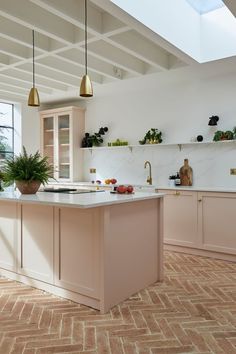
{"x":96,"y":249}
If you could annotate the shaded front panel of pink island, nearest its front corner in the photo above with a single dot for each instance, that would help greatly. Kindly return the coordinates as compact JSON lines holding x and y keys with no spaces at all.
{"x":77,"y":250}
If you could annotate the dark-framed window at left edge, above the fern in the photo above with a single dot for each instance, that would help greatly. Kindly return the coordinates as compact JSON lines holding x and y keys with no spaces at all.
{"x":6,"y":131}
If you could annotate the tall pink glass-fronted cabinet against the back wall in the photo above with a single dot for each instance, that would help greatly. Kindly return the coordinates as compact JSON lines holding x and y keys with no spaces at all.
{"x":62,"y":131}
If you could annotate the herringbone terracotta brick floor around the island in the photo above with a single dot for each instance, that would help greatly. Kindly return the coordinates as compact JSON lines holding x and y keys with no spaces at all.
{"x":192,"y":311}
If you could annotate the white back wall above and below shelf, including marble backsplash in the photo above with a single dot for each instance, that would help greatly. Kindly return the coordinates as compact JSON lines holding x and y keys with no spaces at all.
{"x":179,"y":104}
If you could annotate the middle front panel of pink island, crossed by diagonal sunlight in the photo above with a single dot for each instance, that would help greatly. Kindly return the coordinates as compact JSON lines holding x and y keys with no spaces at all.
{"x":35,"y":238}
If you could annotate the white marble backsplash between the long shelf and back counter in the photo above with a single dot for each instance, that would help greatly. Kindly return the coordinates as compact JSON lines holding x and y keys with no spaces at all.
{"x":211,"y":163}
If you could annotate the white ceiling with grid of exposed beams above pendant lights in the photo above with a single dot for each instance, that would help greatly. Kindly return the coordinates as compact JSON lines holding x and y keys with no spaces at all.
{"x":119,"y":47}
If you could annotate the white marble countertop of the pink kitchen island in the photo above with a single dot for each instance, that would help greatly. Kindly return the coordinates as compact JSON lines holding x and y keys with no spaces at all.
{"x":85,"y":200}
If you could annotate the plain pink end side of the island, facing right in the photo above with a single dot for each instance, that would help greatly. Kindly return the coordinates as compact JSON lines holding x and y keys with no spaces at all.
{"x":132,"y":249}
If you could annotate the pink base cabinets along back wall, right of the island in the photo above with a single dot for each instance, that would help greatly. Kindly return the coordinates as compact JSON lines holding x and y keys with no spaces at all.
{"x":202,"y":223}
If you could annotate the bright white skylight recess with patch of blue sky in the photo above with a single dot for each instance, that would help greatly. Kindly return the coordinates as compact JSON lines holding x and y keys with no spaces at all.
{"x":203,"y":29}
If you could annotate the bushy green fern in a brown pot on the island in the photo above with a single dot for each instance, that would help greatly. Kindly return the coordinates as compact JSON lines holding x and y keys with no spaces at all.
{"x":28,"y":171}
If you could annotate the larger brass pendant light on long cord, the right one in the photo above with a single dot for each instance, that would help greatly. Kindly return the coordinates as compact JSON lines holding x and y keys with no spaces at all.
{"x":86,"y":88}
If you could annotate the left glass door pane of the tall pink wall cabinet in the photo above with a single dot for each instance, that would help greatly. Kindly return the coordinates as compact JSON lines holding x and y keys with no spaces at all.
{"x":48,"y":138}
